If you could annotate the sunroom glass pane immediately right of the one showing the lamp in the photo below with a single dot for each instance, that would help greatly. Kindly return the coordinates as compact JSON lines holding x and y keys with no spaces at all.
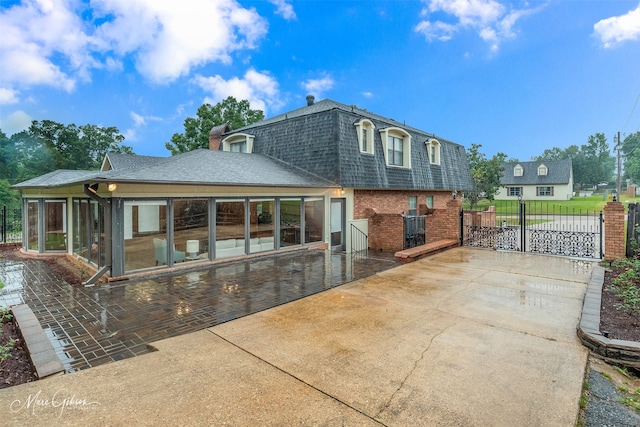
{"x":230,"y":228}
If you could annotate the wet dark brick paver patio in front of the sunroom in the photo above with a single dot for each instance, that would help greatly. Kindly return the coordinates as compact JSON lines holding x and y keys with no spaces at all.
{"x":93,"y":326}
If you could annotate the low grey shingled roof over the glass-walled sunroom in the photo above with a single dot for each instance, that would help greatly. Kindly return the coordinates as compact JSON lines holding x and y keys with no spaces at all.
{"x":204,"y":167}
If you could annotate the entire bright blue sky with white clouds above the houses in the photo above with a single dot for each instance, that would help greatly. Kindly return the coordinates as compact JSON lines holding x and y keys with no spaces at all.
{"x":515,"y":76}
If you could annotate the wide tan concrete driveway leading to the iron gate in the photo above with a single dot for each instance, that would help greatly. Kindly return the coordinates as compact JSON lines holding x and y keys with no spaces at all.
{"x":466,"y":337}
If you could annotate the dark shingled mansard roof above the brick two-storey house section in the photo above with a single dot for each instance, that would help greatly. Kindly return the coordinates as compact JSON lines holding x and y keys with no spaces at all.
{"x":322,"y":138}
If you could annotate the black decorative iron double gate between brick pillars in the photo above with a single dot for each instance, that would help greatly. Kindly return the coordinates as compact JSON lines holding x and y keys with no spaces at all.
{"x":535,"y":227}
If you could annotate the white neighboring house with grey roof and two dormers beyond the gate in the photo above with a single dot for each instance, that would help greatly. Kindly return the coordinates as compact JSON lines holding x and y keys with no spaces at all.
{"x":546,"y":180}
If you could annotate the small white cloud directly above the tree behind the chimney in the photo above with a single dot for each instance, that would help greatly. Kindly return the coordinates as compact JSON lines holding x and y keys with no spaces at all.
{"x":260,"y":89}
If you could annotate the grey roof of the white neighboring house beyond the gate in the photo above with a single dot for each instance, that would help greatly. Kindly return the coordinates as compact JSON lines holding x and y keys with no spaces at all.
{"x":558,"y":172}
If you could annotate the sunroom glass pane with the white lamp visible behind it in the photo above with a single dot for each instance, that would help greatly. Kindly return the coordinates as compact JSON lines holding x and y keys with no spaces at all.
{"x":191,"y":228}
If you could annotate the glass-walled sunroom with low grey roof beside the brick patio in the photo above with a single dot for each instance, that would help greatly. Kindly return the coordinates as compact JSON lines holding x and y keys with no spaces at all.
{"x":193,"y":208}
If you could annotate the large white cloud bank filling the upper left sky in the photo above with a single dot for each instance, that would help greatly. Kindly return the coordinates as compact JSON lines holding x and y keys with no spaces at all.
{"x":52,"y":42}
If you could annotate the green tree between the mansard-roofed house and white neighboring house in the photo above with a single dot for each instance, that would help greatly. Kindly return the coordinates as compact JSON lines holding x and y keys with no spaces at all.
{"x":486,"y":174}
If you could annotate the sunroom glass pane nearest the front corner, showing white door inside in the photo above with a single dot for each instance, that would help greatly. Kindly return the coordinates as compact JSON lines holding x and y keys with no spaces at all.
{"x":145,"y":235}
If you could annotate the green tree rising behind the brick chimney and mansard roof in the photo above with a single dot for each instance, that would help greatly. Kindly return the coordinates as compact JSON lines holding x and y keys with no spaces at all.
{"x":196,"y":129}
